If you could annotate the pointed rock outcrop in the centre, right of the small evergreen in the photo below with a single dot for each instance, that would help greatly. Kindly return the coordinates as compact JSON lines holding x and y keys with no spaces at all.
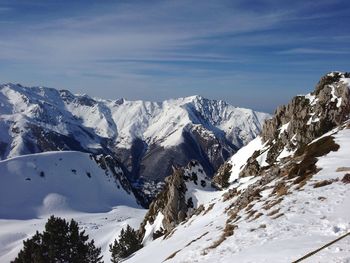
{"x":176,"y":201}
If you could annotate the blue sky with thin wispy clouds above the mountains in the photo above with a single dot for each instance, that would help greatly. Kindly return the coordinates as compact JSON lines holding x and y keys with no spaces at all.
{"x":255,"y":54}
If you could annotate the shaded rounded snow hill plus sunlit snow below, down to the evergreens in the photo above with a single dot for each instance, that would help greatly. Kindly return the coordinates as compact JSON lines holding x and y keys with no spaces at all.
{"x":67,"y":184}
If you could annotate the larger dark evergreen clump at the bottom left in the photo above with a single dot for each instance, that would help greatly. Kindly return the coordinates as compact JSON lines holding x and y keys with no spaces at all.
{"x":59,"y":242}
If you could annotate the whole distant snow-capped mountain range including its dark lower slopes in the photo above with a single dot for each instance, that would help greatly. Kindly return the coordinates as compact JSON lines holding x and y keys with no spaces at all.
{"x":147,"y":137}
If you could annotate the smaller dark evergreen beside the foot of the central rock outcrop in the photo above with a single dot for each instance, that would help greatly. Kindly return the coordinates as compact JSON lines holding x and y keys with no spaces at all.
{"x":128,"y":243}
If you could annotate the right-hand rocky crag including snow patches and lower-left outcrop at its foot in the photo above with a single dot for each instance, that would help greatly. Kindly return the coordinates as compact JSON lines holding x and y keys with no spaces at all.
{"x":302,"y":120}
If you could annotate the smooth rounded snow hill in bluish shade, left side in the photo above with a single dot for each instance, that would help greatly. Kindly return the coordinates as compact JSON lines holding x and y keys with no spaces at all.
{"x":55,"y":181}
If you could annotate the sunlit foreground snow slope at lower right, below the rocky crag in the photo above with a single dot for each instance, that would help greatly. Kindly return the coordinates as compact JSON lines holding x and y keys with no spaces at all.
{"x":301,"y":222}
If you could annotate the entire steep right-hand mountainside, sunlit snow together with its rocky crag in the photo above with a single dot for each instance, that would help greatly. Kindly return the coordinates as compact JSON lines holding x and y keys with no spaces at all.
{"x":286,"y":192}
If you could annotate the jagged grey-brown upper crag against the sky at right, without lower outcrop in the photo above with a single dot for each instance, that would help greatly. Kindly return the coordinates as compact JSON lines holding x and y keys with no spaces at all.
{"x":330,"y":103}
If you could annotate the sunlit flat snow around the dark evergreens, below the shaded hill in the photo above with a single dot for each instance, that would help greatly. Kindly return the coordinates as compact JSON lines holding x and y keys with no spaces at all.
{"x":102,"y":227}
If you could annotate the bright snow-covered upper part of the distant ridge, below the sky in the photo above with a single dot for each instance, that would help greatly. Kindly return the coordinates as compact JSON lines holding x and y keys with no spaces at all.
{"x":124,"y":119}
